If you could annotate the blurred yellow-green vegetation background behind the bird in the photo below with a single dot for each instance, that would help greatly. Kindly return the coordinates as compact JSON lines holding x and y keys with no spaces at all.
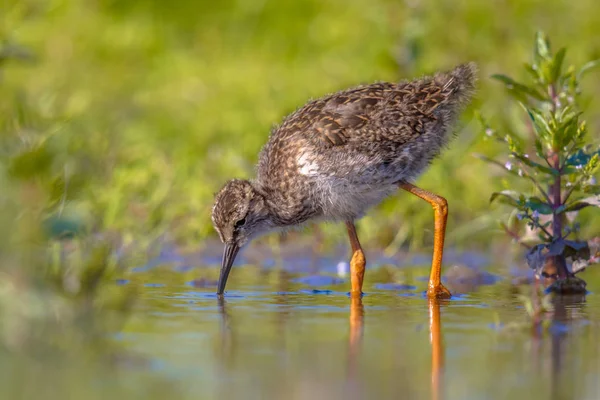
{"x":122,"y":118}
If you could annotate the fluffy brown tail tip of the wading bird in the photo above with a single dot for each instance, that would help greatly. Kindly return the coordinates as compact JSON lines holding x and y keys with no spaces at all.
{"x":458,"y":85}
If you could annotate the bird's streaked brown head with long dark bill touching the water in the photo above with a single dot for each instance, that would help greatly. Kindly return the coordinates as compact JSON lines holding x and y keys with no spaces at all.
{"x":238,"y":215}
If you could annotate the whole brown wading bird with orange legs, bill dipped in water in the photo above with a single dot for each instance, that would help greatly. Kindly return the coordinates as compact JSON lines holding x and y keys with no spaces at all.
{"x":339,"y":155}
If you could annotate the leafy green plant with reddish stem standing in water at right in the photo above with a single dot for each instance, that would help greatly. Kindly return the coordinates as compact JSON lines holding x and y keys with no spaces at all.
{"x":553,"y":153}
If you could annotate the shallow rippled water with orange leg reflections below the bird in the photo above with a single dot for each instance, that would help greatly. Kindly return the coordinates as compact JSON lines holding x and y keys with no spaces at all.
{"x":293,"y":334}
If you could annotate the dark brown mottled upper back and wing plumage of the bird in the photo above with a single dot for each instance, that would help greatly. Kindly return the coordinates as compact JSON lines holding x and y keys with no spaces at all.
{"x":396,"y":112}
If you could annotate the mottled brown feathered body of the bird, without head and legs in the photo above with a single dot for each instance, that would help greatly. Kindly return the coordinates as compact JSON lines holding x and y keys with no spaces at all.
{"x":369,"y":136}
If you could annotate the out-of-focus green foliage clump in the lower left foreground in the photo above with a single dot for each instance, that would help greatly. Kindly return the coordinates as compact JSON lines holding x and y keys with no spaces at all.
{"x":64,"y":304}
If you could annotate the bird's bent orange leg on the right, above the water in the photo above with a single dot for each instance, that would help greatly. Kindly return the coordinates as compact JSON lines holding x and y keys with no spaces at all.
{"x":440,"y":210}
